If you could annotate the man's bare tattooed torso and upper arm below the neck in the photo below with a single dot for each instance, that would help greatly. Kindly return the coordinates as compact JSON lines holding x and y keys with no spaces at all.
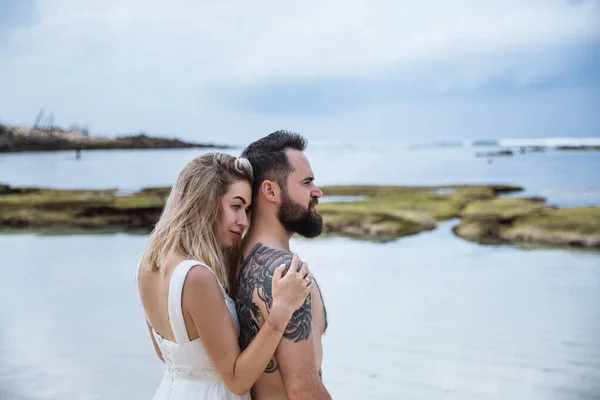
{"x":295,"y":371}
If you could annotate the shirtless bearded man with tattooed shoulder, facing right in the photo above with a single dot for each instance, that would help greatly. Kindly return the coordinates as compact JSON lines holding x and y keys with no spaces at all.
{"x":284,"y":201}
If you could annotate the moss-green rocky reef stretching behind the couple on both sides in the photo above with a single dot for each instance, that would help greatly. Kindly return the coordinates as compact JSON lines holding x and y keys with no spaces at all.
{"x":382,"y":213}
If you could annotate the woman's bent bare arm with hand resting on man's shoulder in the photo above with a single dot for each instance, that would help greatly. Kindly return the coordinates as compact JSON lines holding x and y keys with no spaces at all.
{"x":203,"y":300}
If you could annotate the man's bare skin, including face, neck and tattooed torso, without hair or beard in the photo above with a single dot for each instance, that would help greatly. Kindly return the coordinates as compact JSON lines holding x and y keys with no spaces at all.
{"x":295,"y":371}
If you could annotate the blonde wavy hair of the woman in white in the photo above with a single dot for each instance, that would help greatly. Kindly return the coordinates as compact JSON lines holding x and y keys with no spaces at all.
{"x":191,"y":219}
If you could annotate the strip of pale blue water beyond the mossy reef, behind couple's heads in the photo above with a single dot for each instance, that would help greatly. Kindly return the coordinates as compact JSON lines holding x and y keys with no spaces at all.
{"x":565,"y":178}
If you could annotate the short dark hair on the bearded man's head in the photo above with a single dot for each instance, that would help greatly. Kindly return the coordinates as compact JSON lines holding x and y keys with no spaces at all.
{"x":268,"y":159}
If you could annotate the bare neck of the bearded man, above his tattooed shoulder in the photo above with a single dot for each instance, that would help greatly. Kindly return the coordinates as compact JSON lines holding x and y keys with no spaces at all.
{"x":269,"y":232}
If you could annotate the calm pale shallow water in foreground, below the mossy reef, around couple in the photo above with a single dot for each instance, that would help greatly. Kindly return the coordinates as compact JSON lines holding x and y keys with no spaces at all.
{"x":421,"y":318}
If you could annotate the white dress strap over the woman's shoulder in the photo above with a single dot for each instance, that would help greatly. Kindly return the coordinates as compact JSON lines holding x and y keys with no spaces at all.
{"x":175,"y":290}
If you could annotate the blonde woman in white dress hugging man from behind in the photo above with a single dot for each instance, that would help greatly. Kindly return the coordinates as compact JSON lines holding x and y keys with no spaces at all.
{"x":183,"y":284}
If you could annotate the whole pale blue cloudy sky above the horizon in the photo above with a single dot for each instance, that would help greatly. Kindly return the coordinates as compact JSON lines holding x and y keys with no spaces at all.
{"x":229,"y":72}
